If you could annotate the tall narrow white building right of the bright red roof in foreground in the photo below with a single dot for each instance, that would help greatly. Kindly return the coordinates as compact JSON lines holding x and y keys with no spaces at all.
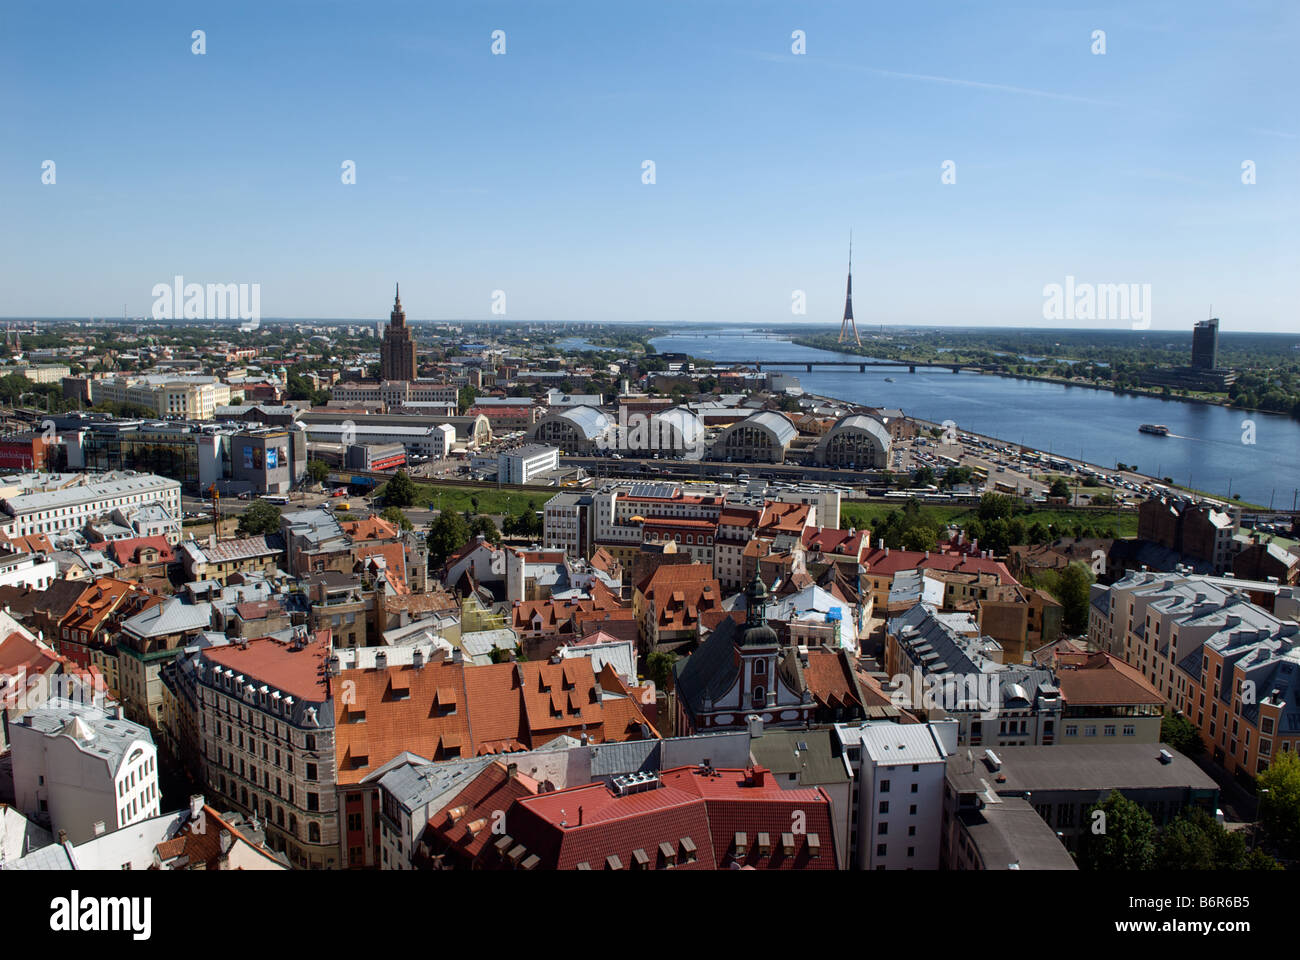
{"x":899,"y":803}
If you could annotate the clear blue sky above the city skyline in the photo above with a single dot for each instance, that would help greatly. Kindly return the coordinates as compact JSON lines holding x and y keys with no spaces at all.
{"x":525,"y":172}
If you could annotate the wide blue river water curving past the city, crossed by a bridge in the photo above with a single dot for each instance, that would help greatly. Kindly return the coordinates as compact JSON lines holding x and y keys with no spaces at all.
{"x":1206,"y":448}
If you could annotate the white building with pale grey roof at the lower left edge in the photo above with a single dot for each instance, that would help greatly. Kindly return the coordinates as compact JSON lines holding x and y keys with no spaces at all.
{"x":83,"y":769}
